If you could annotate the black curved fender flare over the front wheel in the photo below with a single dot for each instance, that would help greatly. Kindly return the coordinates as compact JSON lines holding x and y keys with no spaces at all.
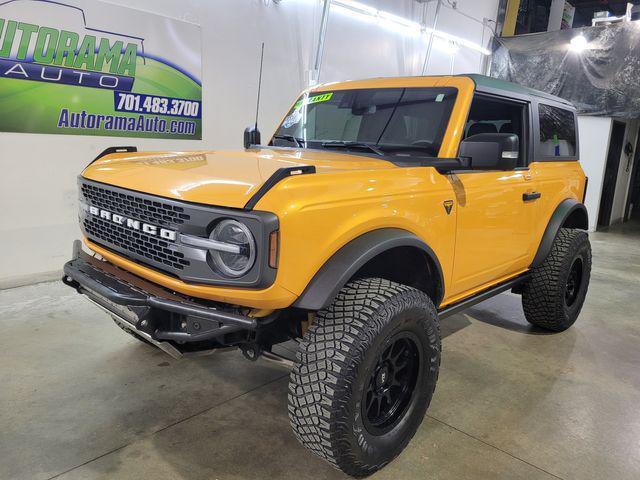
{"x":344,"y":264}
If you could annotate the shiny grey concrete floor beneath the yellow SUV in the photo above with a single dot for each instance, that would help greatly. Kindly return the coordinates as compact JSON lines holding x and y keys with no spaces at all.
{"x":79,"y":399}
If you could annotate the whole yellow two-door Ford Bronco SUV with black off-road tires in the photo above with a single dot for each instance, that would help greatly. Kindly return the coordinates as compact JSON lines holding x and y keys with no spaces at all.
{"x":378,"y":208}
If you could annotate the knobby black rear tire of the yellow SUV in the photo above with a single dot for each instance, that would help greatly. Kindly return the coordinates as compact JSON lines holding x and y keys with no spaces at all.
{"x":544,"y":295}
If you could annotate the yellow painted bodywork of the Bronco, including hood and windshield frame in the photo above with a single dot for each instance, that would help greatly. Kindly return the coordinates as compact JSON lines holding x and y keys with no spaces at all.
{"x":491,"y":234}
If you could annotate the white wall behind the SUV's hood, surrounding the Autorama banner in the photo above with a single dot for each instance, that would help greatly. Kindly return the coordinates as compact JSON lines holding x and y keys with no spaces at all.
{"x":38,"y":181}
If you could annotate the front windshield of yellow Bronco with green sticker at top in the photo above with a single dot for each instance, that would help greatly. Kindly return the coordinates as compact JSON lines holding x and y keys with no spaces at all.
{"x":389,"y":121}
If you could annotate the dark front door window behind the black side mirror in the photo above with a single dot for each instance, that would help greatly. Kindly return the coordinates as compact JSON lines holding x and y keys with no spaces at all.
{"x":491,"y":115}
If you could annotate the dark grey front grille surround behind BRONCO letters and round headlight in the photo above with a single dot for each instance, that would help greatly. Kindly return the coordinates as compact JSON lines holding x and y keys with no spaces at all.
{"x":142,"y":245}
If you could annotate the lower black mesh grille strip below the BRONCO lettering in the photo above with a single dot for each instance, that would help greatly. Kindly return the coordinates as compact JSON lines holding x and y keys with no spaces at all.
{"x":146,"y":246}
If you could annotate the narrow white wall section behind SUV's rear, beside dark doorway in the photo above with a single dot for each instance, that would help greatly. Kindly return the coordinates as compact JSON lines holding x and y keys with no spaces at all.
{"x":594,"y":133}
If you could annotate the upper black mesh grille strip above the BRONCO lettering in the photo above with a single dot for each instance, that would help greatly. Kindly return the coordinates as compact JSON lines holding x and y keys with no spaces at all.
{"x":133,"y":206}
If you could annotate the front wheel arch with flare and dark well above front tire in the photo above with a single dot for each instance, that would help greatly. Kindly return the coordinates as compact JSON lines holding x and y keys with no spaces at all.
{"x":371,"y":254}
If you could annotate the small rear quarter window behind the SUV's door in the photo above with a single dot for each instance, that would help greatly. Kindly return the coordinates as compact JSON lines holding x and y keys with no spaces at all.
{"x":557,"y":132}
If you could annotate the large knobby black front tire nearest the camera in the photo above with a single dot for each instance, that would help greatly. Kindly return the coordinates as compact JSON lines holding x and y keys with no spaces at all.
{"x":335,"y":366}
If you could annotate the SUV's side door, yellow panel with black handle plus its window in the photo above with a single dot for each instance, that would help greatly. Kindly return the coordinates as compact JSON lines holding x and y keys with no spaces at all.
{"x":494,"y":215}
